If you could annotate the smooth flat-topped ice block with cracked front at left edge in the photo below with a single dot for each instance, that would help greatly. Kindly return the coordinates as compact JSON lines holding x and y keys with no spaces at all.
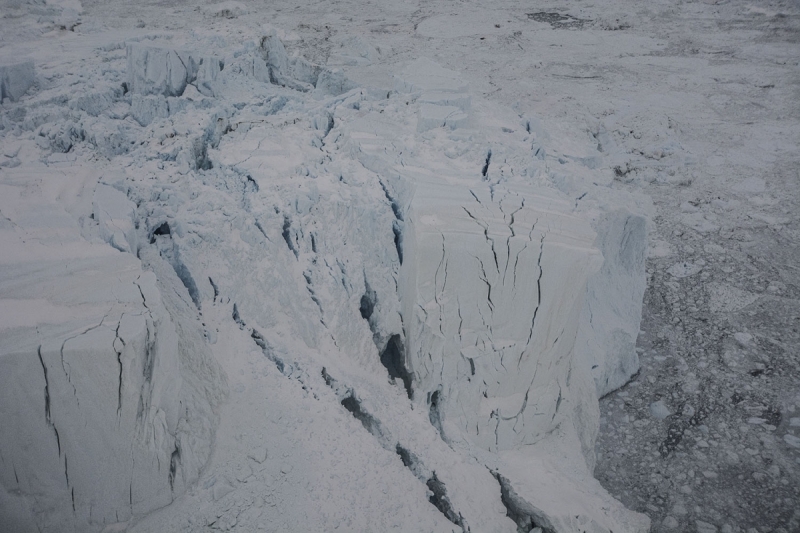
{"x":107,"y":389}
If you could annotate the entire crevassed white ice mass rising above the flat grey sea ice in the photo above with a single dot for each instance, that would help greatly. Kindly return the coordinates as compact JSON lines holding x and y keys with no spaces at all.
{"x":240,"y":291}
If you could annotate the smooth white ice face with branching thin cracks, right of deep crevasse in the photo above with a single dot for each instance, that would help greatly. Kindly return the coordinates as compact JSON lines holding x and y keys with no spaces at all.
{"x":494,"y":285}
